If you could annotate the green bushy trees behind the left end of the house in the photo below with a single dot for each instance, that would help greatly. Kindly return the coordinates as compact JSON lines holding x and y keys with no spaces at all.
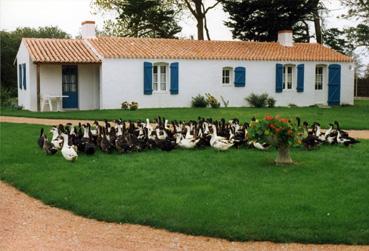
{"x":10,"y":42}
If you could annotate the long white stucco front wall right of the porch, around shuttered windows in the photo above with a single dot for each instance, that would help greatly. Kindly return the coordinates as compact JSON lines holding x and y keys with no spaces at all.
{"x":122,"y":80}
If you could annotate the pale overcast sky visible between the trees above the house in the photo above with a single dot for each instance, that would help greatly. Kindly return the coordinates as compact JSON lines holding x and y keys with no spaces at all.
{"x":68,"y":15}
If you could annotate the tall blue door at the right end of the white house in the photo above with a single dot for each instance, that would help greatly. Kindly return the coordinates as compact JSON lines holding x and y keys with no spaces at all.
{"x":334,"y":84}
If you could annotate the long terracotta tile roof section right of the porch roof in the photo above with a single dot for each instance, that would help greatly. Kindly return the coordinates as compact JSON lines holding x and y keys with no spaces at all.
{"x":120,"y":47}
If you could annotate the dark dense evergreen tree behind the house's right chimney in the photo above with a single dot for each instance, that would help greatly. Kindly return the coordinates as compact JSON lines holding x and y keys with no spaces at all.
{"x":260,"y":20}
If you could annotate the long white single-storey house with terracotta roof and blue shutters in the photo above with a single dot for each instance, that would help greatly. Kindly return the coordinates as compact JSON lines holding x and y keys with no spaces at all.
{"x":102,"y":72}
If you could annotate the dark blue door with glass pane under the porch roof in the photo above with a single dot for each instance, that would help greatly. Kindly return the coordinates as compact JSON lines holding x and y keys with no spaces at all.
{"x":70,"y":86}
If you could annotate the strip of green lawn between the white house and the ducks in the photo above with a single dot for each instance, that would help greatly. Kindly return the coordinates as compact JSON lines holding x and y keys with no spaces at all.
{"x":350,"y":117}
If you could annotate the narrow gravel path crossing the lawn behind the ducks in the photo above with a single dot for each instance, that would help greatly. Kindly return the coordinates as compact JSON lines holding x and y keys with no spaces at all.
{"x":359,"y":134}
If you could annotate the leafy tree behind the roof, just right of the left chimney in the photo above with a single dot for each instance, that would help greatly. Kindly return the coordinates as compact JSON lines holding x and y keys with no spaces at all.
{"x":140,"y":18}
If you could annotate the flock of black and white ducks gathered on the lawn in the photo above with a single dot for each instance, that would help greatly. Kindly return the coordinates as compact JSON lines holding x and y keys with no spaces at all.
{"x":128,"y":136}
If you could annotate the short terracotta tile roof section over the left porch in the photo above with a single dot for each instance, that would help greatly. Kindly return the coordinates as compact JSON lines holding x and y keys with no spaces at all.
{"x":45,"y":50}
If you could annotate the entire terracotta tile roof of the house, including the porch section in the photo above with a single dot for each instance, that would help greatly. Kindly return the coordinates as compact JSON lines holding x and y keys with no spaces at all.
{"x":79,"y":51}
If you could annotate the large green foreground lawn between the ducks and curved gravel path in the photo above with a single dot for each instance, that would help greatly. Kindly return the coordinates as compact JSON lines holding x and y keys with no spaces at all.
{"x":238,"y":195}
